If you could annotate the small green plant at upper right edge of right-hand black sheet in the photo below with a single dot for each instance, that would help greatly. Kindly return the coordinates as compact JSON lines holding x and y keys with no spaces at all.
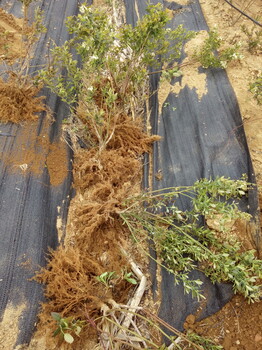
{"x":208,"y":56}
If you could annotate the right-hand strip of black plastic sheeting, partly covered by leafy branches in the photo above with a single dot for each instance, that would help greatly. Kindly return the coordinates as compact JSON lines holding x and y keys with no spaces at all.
{"x":200,"y":139}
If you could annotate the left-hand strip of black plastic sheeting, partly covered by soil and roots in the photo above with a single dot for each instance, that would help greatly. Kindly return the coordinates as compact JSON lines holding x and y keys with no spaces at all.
{"x":28,"y":203}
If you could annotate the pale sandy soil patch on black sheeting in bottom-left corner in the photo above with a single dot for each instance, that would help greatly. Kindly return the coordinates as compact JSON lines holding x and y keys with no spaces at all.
{"x":9,"y":327}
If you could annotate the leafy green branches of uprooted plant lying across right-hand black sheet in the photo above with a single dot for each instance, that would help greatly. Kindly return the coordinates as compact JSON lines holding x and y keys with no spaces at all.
{"x":184,"y":242}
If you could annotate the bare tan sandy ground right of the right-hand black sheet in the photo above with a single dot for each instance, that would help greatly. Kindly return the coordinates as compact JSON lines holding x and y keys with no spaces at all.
{"x":241,"y":73}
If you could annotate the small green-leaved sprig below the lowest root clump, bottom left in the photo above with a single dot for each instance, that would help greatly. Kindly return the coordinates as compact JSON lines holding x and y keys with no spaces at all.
{"x":67,"y":326}
